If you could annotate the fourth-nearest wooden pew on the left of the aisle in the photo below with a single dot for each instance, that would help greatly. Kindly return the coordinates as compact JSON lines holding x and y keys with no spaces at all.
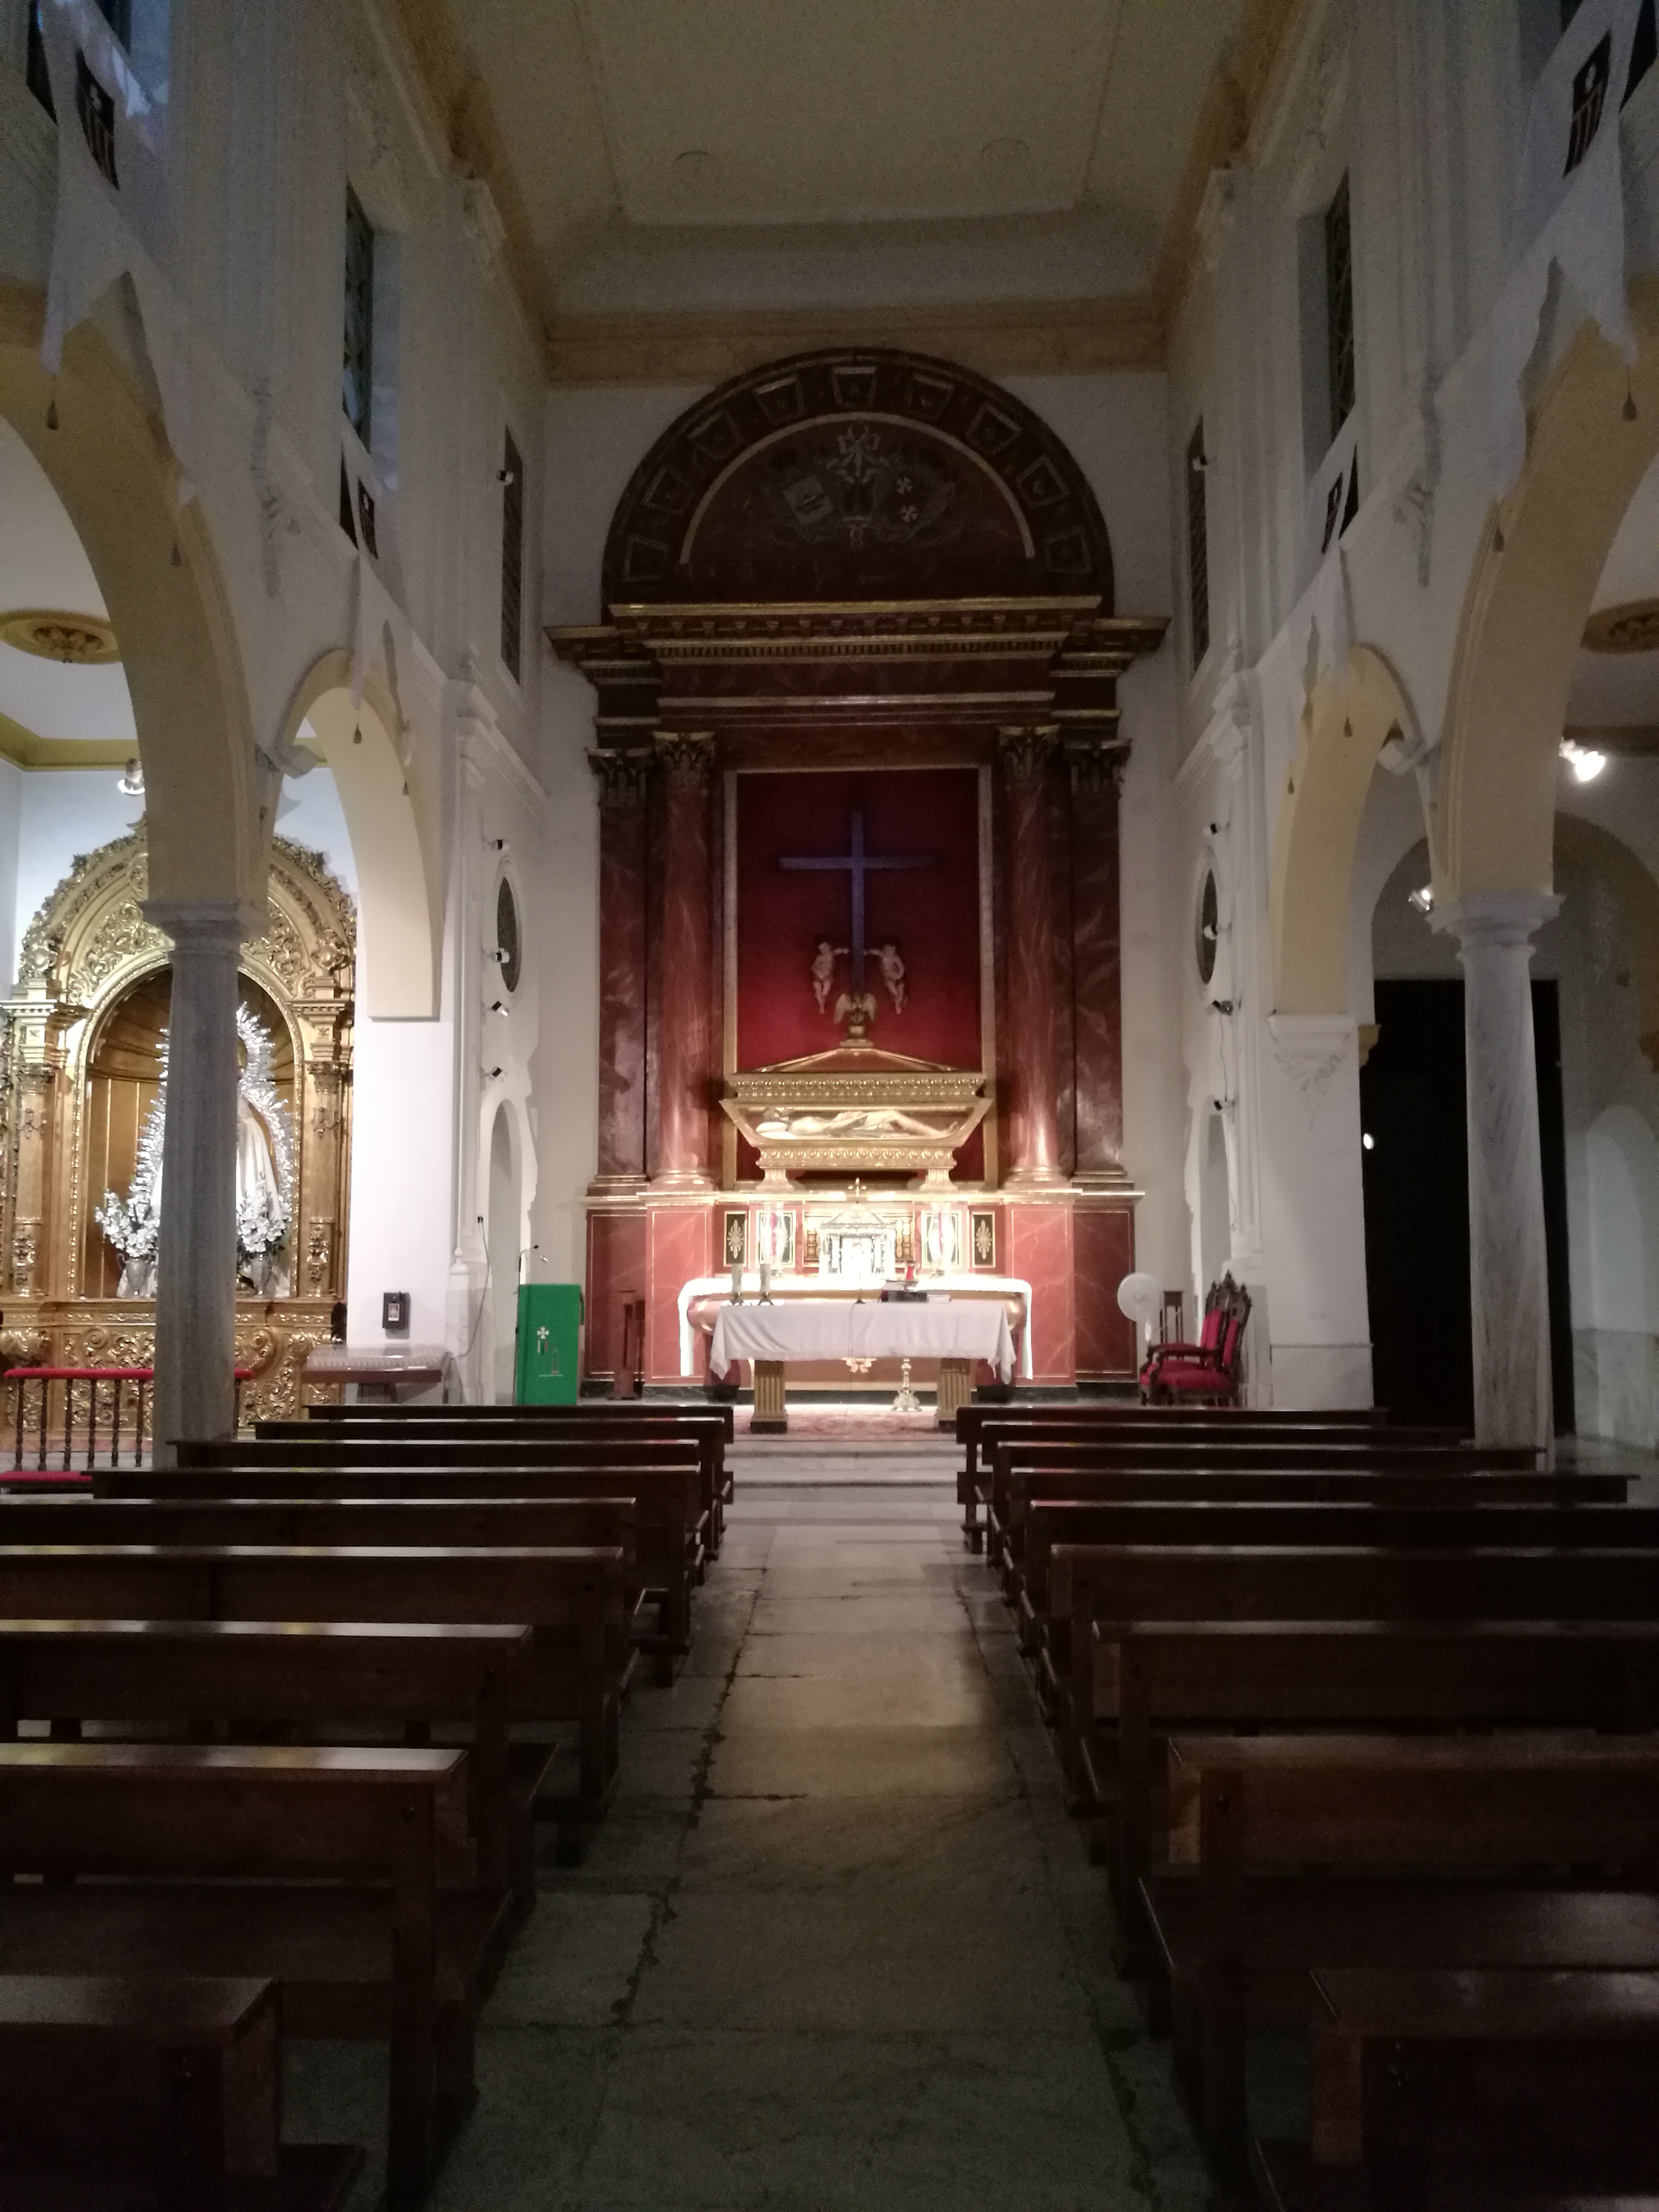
{"x":570,"y":1598}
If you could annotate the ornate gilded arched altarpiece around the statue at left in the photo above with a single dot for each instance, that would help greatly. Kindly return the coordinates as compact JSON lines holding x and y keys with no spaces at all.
{"x":90,"y":972}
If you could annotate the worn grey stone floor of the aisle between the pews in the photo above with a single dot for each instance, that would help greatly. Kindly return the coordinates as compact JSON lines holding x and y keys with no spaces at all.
{"x":837,"y":1943}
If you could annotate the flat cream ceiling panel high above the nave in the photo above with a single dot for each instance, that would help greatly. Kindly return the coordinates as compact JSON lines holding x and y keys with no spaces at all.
{"x":678,"y":158}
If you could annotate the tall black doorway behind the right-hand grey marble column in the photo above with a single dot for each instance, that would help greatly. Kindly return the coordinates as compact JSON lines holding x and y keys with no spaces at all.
{"x":1417,"y":1202}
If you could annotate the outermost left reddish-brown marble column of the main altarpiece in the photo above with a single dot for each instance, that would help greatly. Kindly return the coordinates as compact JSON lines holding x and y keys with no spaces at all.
{"x":623,"y":968}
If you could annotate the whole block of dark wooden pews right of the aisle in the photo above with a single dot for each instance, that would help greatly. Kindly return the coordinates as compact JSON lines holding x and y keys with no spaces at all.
{"x":1361,"y":1724}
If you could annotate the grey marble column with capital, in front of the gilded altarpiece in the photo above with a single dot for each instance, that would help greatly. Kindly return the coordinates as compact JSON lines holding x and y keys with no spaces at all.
{"x":196,"y":1264}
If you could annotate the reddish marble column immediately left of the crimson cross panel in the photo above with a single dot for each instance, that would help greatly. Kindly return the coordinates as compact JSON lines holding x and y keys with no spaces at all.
{"x":685,"y":1047}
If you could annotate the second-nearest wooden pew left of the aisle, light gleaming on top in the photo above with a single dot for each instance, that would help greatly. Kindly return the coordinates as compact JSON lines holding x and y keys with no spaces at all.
{"x":315,"y":1868}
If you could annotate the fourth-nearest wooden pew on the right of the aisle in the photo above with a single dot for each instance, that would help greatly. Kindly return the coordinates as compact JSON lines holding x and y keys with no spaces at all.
{"x":1227,"y":1583}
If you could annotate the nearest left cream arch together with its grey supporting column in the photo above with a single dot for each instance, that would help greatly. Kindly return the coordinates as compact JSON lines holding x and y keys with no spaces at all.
{"x":98,"y":432}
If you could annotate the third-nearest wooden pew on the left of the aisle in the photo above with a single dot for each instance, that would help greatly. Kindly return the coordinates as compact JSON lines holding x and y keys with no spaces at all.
{"x":187,"y":1676}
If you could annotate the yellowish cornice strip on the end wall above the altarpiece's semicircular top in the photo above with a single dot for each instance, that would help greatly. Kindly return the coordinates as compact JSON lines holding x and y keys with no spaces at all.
{"x":999,"y":340}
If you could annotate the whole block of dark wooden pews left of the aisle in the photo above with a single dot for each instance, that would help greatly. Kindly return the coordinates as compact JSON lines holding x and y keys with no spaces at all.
{"x":278,"y":1733}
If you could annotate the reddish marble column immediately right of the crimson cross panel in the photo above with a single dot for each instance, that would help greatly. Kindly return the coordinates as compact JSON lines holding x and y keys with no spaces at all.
{"x":1030,"y":1054}
